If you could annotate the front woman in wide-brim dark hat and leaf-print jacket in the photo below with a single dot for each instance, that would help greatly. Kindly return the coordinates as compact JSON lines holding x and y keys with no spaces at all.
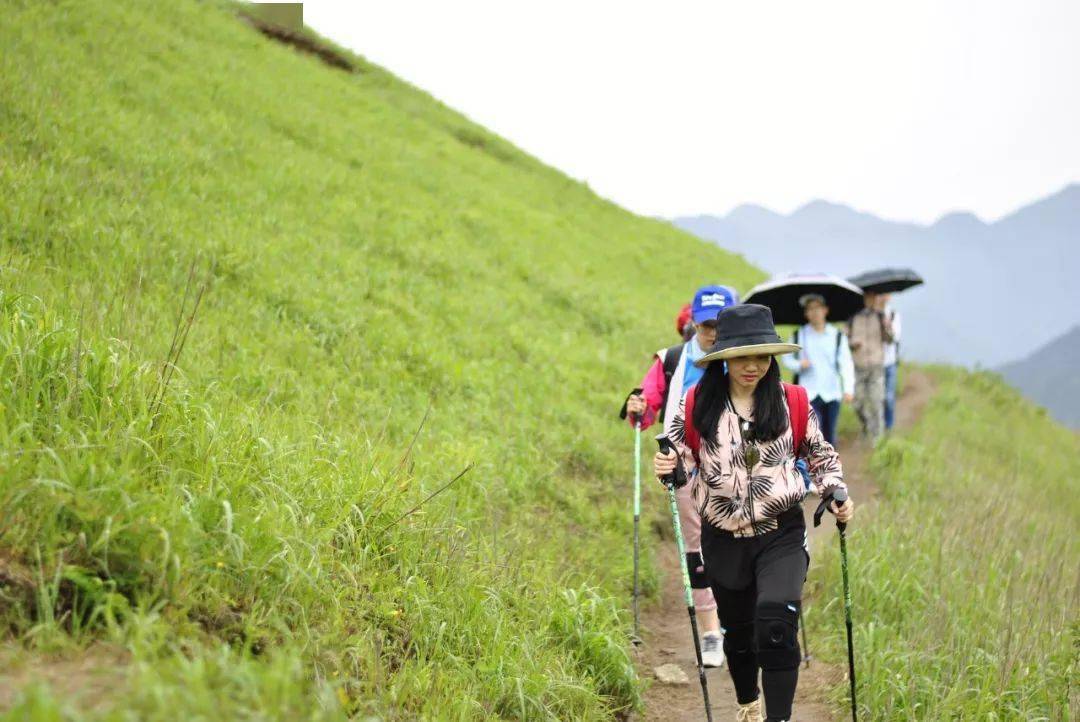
{"x":739,"y":452}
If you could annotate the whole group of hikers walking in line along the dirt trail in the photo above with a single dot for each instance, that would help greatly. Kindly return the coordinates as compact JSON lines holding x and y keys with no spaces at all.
{"x":747,"y":448}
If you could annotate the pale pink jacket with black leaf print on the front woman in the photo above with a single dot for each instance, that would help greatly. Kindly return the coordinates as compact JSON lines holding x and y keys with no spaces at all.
{"x":747,"y":502}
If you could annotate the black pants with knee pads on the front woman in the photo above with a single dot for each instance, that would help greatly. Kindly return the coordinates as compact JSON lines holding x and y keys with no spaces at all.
{"x":758,"y":583}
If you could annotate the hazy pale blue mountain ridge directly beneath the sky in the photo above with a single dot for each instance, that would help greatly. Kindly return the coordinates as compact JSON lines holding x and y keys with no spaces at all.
{"x":994,"y":293}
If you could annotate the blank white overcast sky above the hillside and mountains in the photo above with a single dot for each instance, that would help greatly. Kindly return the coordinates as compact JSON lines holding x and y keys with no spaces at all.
{"x":904,"y":110}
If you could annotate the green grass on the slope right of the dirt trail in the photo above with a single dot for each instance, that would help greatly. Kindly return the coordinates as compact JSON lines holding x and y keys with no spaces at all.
{"x":967,"y":575}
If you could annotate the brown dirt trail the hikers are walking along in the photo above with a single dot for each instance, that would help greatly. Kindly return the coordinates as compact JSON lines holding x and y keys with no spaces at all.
{"x":667,"y":631}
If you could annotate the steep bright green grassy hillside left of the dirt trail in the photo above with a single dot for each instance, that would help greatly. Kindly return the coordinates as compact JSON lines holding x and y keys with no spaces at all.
{"x":254,"y":312}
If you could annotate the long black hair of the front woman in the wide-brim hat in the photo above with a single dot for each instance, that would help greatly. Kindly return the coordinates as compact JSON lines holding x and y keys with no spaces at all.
{"x":711,"y":400}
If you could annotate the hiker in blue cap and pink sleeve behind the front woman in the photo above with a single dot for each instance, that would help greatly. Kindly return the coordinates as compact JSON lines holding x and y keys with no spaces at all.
{"x":674,"y":371}
